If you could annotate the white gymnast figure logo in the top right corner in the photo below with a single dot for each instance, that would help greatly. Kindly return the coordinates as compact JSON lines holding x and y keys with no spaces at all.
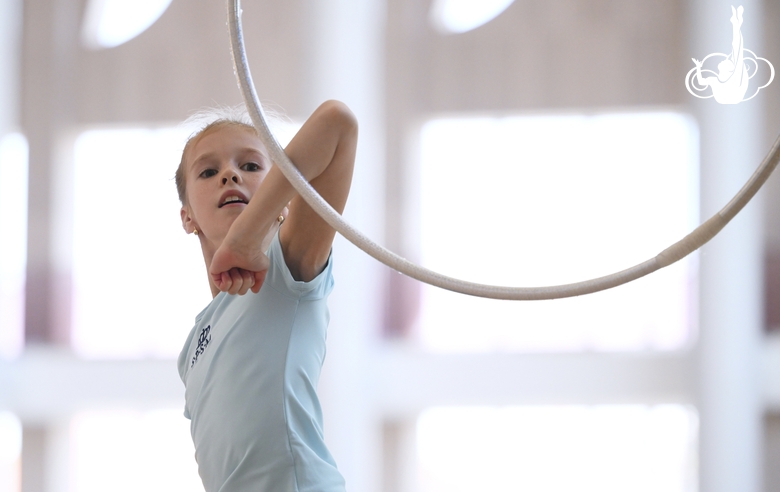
{"x":731,"y":83}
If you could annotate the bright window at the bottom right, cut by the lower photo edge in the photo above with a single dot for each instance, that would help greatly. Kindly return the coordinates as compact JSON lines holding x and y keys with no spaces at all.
{"x":558,"y":449}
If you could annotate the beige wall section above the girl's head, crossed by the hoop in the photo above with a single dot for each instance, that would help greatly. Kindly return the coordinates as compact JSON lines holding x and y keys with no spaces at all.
{"x":183,"y":63}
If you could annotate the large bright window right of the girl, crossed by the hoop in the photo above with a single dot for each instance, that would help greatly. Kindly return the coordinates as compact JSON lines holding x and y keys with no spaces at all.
{"x":529,"y":201}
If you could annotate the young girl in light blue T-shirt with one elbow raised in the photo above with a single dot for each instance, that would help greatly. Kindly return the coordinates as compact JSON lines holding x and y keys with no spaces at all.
{"x":252,"y":361}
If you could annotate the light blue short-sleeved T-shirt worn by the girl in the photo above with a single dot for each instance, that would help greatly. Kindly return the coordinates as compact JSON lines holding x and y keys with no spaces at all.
{"x":250,"y":367}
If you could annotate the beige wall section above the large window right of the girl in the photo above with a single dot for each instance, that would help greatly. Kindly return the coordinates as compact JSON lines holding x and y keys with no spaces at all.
{"x":548,"y":54}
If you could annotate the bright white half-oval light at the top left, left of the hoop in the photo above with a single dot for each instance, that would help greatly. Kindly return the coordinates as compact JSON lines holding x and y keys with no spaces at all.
{"x":109,"y":23}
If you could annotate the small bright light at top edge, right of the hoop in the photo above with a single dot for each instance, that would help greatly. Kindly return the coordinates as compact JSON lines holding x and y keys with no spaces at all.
{"x":457,"y":16}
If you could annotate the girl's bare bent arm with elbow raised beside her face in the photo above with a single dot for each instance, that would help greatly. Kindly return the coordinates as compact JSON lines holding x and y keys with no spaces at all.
{"x":324,"y":152}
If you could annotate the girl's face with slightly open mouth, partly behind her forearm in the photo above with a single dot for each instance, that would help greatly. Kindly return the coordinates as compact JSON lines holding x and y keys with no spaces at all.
{"x":223,"y":170}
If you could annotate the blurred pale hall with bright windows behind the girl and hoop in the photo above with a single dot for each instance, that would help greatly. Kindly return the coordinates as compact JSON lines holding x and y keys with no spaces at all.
{"x":522,"y":142}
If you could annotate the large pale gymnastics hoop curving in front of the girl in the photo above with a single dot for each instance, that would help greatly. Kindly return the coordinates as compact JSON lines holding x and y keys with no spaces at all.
{"x":673,"y":253}
